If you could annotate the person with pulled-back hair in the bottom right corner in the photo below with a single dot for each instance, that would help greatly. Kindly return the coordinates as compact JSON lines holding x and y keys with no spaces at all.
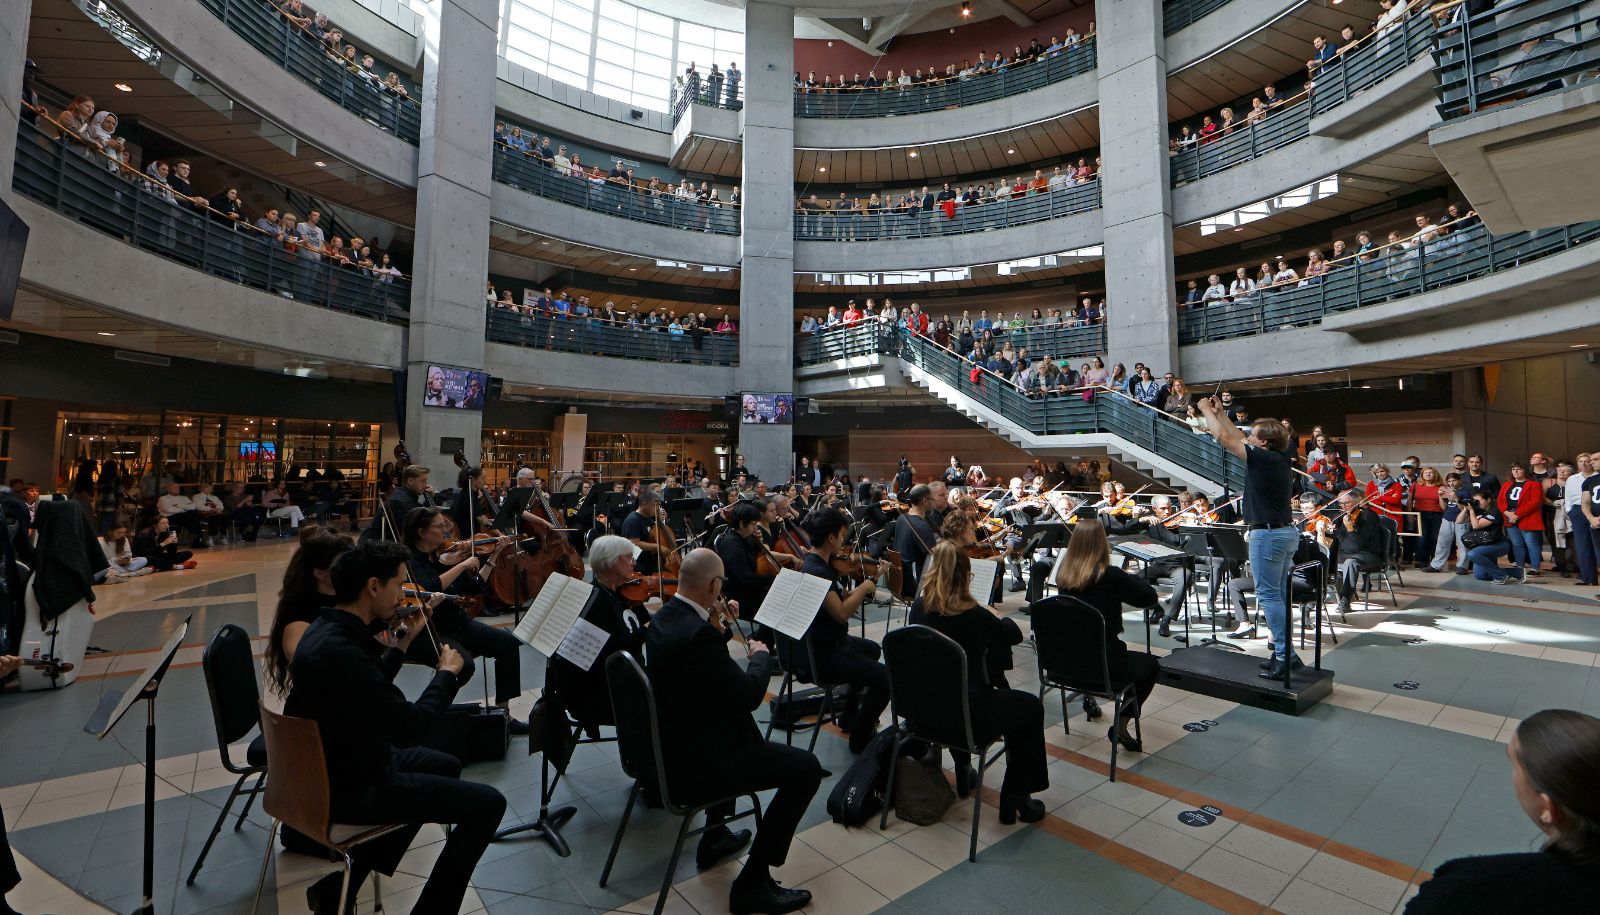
{"x":1554,"y":757}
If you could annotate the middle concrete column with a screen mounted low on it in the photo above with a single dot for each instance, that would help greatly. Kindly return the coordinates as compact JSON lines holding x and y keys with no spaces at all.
{"x":767,"y":234}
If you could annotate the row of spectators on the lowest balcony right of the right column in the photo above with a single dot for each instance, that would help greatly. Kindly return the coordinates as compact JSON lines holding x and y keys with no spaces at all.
{"x":1396,"y":258}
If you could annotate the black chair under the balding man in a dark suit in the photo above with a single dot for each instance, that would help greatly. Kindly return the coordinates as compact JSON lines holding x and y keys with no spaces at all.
{"x":639,"y":740}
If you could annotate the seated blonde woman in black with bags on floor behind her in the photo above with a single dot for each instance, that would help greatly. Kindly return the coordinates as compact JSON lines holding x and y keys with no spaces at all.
{"x":946,"y":607}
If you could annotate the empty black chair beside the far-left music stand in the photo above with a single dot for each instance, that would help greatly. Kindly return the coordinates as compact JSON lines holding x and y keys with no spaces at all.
{"x":236,"y":711}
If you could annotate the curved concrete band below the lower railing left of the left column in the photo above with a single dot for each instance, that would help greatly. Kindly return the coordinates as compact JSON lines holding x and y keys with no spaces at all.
{"x":132,"y":282}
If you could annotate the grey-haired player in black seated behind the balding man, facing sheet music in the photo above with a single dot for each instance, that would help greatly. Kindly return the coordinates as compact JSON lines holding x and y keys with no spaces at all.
{"x":585,"y":693}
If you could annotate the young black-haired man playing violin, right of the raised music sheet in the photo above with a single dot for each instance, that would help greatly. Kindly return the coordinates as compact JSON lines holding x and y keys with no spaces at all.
{"x":844,"y":658}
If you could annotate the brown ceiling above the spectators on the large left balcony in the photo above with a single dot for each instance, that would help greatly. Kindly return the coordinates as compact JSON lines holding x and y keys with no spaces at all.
{"x":79,"y":57}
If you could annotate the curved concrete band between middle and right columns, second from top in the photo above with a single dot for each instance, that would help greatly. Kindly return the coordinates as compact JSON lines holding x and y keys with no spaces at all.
{"x":1049,"y":238}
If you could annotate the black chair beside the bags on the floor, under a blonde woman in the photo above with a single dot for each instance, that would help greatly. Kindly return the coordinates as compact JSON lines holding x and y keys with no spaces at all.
{"x":929,"y":701}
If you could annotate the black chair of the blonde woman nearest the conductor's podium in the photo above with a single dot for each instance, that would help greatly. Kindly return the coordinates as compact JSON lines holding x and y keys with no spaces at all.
{"x":1070,"y":637}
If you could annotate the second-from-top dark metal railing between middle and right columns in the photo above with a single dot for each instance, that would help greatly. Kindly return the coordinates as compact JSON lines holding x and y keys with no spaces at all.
{"x":855,"y":226}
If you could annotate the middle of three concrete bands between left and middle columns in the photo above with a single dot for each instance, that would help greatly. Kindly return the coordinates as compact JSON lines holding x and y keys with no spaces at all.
{"x":612,"y":233}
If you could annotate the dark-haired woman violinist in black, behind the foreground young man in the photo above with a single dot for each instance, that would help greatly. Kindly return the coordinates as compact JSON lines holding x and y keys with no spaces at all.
{"x":425,"y":533}
